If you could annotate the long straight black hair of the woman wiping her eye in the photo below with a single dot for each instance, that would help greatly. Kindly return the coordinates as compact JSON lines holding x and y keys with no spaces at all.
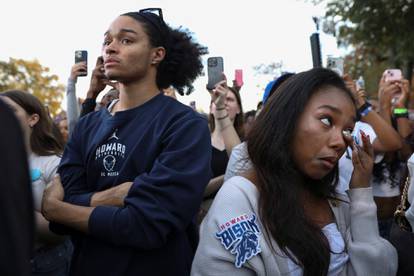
{"x":279,"y":181}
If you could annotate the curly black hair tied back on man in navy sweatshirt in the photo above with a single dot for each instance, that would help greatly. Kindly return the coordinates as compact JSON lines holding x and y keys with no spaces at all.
{"x":182,"y":63}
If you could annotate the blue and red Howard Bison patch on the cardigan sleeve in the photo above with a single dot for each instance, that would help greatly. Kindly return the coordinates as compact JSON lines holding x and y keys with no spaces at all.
{"x":240,"y":236}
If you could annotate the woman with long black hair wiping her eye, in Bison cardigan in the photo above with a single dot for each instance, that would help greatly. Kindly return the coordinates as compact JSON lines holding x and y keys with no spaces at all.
{"x":284,"y":217}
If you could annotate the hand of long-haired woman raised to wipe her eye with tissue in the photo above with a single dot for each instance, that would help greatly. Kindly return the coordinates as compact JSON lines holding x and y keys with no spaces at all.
{"x":363,"y":161}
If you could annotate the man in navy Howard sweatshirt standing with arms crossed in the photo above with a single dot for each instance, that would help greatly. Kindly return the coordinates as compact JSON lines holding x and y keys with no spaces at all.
{"x":133,"y":176}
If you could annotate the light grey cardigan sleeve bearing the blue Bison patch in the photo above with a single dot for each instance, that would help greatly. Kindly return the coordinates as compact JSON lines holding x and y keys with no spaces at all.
{"x":221,"y":234}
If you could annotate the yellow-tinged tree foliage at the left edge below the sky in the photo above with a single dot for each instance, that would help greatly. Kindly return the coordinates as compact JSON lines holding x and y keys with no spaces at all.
{"x":32,"y":77}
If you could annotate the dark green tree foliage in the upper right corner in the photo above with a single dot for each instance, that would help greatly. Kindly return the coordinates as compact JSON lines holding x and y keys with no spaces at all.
{"x":380,"y":32}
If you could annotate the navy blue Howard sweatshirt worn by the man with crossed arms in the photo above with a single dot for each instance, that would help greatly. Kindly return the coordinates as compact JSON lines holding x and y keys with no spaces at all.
{"x":164,"y":147}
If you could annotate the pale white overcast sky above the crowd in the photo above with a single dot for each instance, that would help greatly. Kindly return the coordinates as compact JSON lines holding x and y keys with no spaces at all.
{"x":244,"y":33}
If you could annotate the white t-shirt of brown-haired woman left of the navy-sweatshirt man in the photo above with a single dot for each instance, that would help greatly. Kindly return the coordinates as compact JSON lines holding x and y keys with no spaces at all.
{"x":42,"y":169}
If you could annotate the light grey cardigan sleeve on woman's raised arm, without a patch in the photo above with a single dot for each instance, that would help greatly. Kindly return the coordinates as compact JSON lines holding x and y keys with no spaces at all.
{"x":369,"y":254}
